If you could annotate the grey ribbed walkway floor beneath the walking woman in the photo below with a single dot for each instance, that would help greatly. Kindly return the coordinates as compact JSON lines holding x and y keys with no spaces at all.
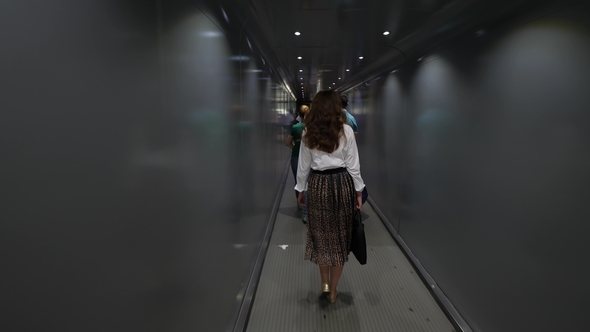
{"x":383,"y":295}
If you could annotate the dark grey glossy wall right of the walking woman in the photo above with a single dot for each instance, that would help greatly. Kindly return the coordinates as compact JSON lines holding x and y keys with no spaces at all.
{"x":478,"y":155}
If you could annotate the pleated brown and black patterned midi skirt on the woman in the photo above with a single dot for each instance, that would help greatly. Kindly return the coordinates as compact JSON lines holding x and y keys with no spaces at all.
{"x":330,"y":206}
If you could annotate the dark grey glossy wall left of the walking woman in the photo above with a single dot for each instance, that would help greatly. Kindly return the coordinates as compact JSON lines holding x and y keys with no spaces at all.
{"x":142,"y":150}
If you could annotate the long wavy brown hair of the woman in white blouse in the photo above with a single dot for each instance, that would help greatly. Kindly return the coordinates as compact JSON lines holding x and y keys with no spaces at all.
{"x":324,"y":122}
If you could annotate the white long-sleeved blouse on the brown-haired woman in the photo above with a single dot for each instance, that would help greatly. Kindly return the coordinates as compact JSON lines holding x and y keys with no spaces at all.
{"x":345,"y":156}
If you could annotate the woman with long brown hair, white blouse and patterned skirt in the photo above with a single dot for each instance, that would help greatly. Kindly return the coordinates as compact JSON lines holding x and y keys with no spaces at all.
{"x":329,"y":170}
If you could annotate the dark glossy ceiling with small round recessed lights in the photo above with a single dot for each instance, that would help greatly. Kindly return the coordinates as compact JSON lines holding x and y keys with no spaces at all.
{"x":335,"y":34}
